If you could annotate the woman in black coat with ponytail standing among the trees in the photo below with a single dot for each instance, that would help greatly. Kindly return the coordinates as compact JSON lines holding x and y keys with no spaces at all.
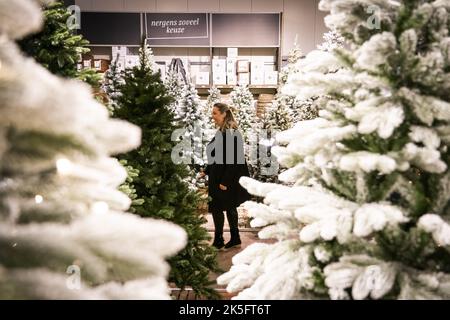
{"x":226,"y":164}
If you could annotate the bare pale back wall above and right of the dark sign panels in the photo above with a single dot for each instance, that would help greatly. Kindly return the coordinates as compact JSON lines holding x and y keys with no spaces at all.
{"x":300,"y":17}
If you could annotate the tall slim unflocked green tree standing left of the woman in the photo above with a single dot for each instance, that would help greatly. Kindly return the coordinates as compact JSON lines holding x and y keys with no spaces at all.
{"x":145,"y":102}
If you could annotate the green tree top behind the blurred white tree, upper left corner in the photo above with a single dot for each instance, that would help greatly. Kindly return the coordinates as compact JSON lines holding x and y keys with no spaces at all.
{"x":57,"y":47}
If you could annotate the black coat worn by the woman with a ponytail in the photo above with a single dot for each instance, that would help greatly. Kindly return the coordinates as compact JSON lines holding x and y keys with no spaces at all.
{"x":227,"y":172}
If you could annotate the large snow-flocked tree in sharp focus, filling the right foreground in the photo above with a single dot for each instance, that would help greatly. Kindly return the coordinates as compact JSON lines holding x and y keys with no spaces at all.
{"x":368,"y":217}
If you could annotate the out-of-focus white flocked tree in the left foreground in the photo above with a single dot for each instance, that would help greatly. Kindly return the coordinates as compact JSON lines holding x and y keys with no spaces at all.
{"x":63,"y":230}
